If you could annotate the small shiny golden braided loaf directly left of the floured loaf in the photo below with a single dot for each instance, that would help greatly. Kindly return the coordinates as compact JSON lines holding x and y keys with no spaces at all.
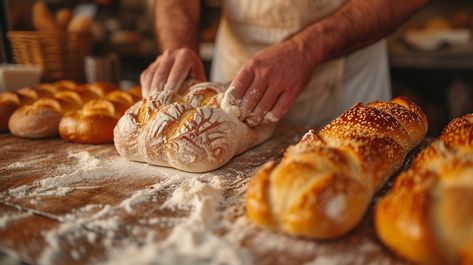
{"x":94,"y":123}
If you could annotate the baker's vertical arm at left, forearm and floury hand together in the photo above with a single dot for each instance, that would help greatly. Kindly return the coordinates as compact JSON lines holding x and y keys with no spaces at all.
{"x":176,"y":25}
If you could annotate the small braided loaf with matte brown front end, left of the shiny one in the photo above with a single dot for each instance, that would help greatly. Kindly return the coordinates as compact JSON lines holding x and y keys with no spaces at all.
{"x":41,"y":118}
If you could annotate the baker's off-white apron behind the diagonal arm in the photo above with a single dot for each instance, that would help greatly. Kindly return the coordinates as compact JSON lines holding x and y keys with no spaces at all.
{"x":248,"y":26}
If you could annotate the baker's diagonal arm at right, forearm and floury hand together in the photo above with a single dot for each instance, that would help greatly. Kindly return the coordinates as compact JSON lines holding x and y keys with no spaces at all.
{"x":267,"y":85}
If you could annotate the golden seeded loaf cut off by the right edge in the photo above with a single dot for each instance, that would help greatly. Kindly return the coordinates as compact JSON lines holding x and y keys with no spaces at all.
{"x":427,"y":217}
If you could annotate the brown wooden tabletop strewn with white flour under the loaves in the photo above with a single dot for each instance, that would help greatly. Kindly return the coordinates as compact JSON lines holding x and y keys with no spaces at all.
{"x":63,"y":203}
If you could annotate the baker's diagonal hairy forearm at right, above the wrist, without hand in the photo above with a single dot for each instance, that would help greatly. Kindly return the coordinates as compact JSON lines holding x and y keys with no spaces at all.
{"x":355,"y":25}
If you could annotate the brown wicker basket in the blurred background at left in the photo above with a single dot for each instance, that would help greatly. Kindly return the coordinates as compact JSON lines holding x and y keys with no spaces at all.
{"x":60,"y":54}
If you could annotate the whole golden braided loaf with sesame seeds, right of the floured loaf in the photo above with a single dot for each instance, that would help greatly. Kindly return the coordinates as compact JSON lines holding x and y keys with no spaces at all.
{"x":324,"y":184}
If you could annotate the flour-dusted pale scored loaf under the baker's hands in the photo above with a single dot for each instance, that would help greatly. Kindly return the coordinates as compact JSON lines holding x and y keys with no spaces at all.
{"x":193,"y":133}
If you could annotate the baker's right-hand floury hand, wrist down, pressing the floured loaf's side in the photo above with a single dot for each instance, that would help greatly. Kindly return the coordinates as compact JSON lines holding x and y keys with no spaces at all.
{"x":267,"y":85}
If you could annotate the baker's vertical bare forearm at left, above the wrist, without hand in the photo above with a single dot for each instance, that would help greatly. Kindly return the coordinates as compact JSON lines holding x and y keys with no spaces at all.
{"x":177,"y":23}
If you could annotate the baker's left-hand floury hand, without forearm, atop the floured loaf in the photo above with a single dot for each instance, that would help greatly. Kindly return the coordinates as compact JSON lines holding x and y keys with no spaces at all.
{"x":169,"y":71}
